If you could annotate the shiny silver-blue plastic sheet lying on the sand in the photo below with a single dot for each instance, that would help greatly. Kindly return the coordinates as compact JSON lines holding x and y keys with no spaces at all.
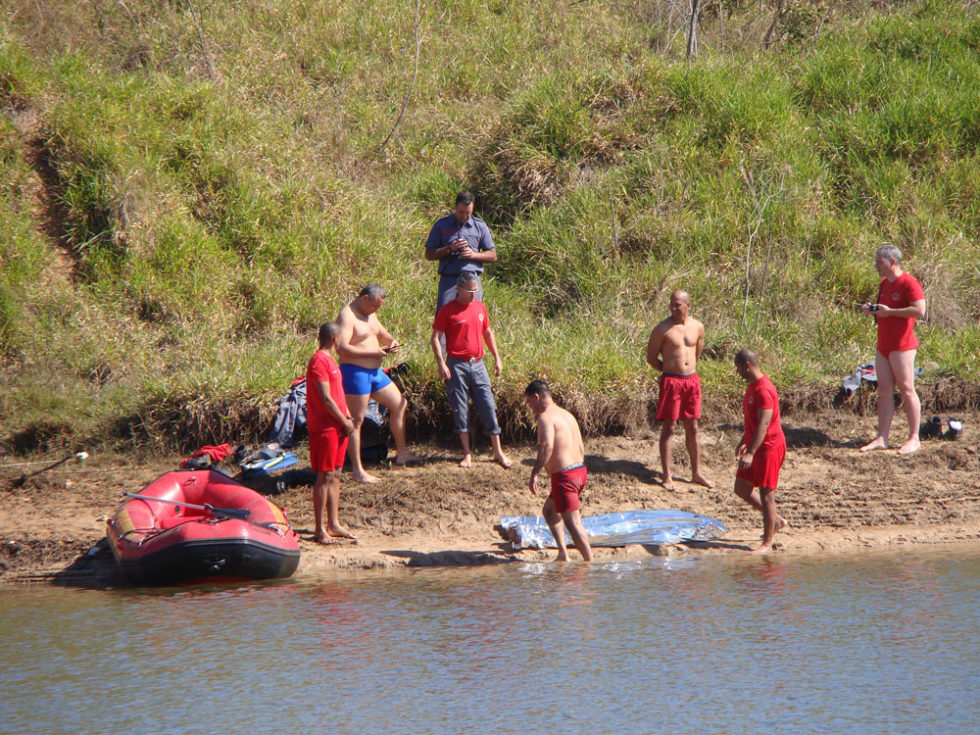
{"x":657,"y":527}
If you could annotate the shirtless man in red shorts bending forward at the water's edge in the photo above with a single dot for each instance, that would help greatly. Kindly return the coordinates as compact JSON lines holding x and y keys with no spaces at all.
{"x":562,"y":453}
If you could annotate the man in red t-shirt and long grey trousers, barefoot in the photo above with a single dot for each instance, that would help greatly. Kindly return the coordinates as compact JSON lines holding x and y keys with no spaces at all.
{"x":466,"y":325}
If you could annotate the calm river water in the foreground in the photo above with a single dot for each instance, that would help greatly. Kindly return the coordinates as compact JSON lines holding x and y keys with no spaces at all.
{"x":875,"y":643}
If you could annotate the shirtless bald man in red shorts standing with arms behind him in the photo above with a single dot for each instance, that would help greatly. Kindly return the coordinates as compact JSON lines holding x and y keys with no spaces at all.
{"x":674,"y":349}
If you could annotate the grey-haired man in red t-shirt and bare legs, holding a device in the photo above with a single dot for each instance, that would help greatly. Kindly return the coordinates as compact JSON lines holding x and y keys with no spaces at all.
{"x":900,"y":302}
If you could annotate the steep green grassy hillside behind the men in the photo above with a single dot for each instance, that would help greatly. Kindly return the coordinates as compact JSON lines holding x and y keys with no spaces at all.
{"x":187,"y":190}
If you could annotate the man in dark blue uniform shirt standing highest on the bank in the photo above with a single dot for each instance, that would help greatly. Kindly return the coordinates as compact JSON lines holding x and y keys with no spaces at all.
{"x":461,"y":243}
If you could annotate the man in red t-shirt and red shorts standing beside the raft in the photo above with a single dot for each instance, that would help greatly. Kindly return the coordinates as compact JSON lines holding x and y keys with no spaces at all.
{"x":329,"y":425}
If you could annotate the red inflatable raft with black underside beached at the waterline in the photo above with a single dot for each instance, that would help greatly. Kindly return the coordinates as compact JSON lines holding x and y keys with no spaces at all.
{"x":201,"y":526}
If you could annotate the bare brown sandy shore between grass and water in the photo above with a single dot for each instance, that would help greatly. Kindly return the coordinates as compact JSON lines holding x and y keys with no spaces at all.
{"x":52,"y":525}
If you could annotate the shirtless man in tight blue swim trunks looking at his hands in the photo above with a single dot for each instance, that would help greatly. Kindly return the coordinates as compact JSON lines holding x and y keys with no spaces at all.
{"x":362,"y":344}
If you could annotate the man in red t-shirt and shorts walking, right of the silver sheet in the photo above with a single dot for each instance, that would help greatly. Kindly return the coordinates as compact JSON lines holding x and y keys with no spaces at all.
{"x":762,"y":450}
